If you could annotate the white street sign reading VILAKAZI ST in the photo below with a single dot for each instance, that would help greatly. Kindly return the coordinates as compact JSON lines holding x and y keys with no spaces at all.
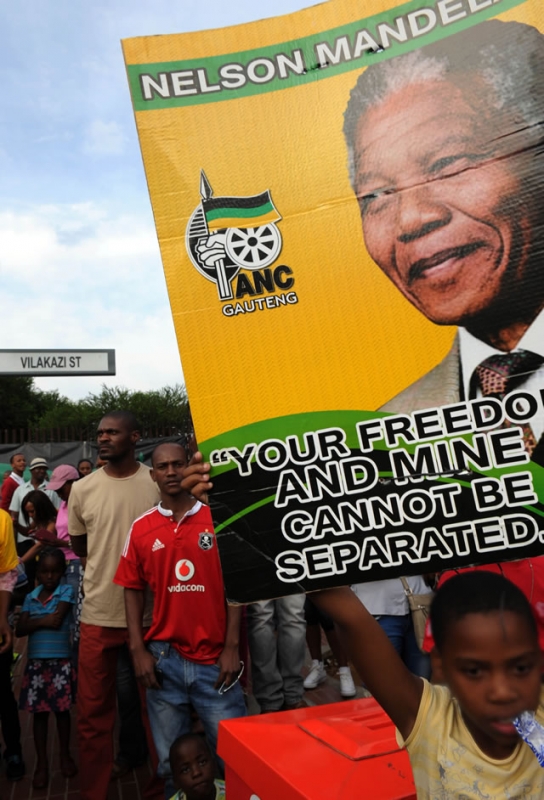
{"x":39,"y":363}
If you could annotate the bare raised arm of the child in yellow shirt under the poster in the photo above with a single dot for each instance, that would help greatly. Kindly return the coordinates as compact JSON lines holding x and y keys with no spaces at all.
{"x":391,"y":683}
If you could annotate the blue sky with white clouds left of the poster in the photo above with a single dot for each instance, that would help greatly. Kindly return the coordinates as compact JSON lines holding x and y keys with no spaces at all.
{"x":79,"y":260}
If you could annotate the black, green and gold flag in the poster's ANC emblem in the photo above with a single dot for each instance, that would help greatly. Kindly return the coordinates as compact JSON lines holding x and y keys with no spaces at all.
{"x":239,"y":212}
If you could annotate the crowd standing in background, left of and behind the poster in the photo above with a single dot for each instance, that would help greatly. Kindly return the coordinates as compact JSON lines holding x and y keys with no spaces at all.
{"x":114,"y":576}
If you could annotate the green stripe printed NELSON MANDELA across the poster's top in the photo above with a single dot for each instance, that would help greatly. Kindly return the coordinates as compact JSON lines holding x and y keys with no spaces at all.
{"x":301,"y":61}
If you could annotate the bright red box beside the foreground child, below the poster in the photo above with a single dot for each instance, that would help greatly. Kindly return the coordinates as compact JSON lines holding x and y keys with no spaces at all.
{"x":342,"y":751}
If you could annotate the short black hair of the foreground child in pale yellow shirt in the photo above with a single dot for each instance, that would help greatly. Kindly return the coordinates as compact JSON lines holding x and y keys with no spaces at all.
{"x":479,"y":592}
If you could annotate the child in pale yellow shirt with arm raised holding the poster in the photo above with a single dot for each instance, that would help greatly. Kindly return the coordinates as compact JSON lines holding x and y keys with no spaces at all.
{"x":460,"y":736}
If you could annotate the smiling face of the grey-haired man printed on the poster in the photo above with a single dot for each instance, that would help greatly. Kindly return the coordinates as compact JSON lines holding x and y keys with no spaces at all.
{"x":442,"y":202}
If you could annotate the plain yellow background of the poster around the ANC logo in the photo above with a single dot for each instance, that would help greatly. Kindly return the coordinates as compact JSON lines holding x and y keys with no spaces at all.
{"x":352,"y":341}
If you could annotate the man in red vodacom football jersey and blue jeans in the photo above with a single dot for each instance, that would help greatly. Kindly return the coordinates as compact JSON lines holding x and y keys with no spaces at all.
{"x":189,"y":655}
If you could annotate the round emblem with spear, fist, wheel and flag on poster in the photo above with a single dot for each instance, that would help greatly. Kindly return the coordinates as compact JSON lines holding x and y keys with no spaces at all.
{"x":227,"y":234}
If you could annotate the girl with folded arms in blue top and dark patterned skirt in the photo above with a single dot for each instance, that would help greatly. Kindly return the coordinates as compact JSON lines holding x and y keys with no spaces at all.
{"x":49,"y":679}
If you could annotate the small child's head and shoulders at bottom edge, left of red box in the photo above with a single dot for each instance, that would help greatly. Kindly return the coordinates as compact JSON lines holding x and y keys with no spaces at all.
{"x":193,"y":770}
